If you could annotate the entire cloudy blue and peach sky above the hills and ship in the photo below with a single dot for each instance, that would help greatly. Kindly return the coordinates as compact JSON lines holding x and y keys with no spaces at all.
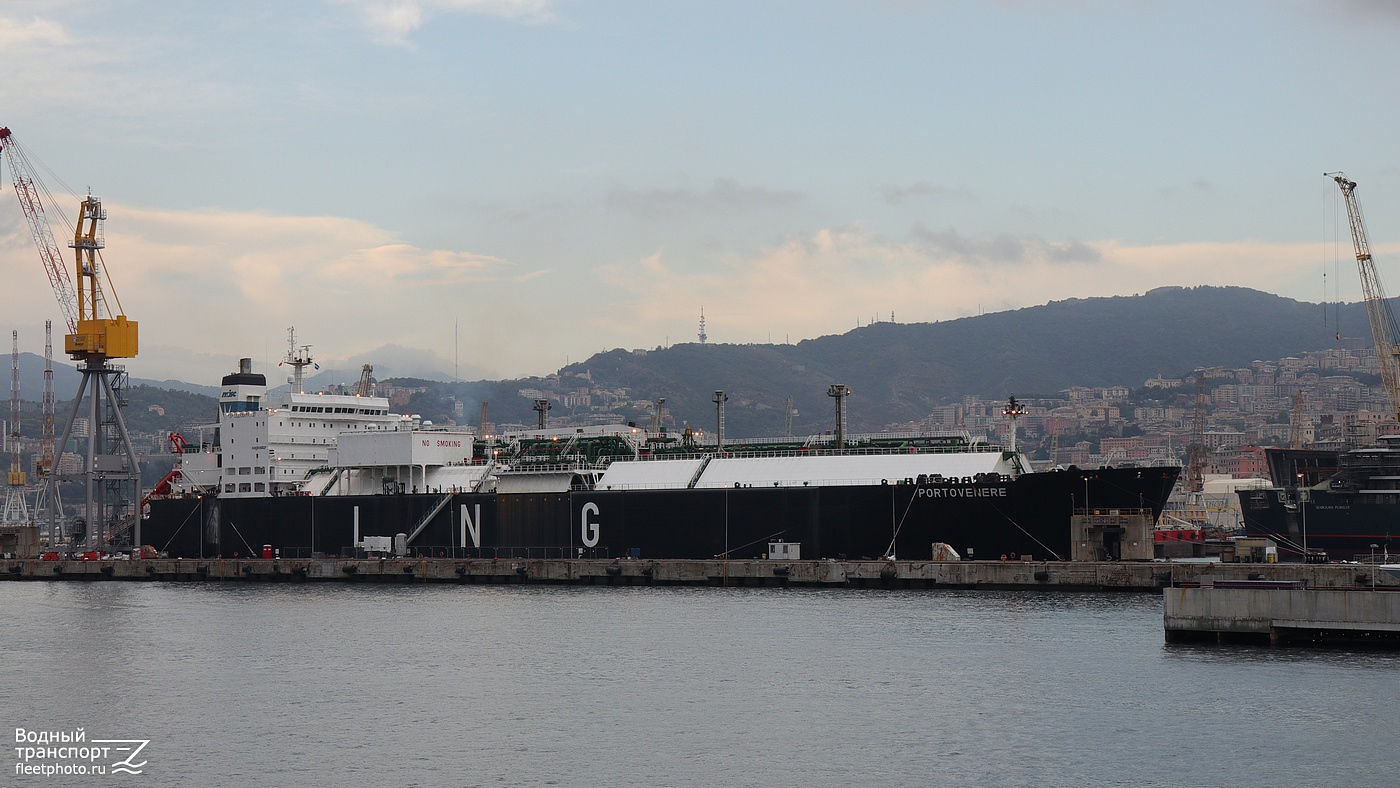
{"x":510,"y":185}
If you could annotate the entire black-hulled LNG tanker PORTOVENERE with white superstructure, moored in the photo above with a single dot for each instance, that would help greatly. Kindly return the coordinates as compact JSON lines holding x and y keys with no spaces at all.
{"x":310,"y":475}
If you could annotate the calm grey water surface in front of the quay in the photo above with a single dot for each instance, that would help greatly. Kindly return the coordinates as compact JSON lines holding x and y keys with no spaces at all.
{"x":339,"y":685}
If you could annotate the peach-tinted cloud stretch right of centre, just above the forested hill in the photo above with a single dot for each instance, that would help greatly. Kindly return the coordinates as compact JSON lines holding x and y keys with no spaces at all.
{"x":831,"y":281}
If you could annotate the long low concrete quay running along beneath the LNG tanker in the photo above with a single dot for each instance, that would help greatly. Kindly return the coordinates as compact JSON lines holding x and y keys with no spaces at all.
{"x":1059,"y":576}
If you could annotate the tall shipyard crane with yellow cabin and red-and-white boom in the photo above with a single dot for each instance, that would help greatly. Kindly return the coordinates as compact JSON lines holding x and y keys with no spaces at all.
{"x":99,"y":332}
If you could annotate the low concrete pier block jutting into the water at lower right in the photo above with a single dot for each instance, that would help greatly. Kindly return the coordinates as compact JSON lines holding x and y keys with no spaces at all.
{"x":1272,"y":612}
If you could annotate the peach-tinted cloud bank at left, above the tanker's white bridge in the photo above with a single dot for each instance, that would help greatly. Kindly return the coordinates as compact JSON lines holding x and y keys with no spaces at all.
{"x":227,"y":285}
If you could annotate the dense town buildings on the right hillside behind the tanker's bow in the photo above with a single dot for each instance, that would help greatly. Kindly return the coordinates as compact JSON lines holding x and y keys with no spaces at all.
{"x":1328,"y":400}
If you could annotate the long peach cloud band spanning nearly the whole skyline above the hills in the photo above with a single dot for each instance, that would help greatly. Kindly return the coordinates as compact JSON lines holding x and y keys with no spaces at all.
{"x":209,"y":288}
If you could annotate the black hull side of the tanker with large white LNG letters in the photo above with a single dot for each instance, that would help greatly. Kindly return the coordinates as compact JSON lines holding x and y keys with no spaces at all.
{"x":1028,"y":517}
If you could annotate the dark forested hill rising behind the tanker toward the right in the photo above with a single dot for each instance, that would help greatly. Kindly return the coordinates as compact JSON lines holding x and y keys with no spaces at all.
{"x":899,"y":372}
